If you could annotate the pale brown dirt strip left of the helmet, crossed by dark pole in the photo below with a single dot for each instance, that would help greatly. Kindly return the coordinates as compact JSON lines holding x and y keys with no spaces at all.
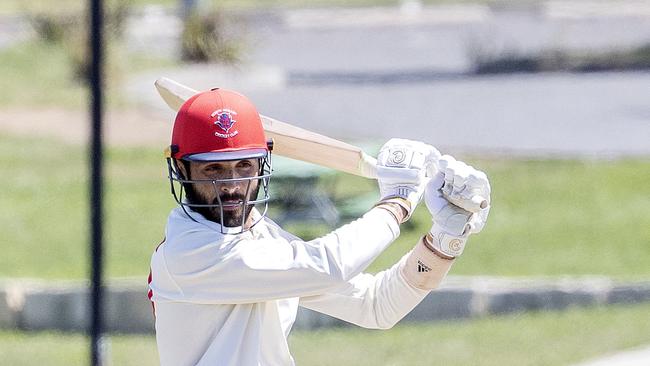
{"x":121,"y":128}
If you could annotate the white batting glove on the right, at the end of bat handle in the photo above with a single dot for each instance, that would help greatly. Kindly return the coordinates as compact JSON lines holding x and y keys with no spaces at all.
{"x":452,"y":224}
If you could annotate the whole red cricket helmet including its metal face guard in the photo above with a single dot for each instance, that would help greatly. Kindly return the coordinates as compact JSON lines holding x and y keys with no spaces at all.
{"x":218,"y":125}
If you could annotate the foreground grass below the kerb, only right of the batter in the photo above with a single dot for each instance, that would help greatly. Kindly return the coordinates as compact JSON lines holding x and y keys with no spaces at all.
{"x":531,"y":339}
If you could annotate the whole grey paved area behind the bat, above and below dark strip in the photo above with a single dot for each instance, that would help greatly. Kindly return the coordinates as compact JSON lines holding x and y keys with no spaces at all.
{"x":379,"y":73}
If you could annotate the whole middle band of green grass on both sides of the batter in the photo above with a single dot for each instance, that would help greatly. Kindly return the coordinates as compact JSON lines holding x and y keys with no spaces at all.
{"x":548,"y":217}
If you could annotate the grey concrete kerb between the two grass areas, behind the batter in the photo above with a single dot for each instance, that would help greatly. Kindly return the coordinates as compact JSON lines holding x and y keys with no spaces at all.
{"x":34,"y":305}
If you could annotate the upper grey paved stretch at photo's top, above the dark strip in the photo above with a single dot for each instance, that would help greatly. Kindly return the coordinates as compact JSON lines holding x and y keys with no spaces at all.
{"x":439,"y":38}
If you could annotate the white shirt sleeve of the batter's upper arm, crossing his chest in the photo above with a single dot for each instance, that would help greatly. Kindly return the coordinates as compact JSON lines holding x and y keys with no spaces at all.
{"x":192,"y":268}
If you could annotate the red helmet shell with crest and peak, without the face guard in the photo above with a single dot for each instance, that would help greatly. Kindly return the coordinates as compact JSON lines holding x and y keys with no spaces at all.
{"x":218,"y":124}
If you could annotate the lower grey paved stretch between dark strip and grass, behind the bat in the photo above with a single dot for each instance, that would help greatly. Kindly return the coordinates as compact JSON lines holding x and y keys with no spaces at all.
{"x":598,"y":115}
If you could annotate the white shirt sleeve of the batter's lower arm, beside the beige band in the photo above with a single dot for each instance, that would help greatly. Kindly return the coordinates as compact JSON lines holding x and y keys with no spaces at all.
{"x":374,"y":301}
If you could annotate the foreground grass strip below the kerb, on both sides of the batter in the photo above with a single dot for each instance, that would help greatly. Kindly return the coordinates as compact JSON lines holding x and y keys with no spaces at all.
{"x":532,"y":339}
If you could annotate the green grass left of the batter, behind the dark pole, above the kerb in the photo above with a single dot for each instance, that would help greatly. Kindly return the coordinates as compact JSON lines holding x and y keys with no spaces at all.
{"x":46,"y":229}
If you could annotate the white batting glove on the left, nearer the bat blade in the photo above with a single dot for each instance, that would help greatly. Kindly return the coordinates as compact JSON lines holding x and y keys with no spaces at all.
{"x":401,"y":170}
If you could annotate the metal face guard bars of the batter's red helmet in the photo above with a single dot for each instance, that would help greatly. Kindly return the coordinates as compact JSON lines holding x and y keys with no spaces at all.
{"x":178,"y":188}
